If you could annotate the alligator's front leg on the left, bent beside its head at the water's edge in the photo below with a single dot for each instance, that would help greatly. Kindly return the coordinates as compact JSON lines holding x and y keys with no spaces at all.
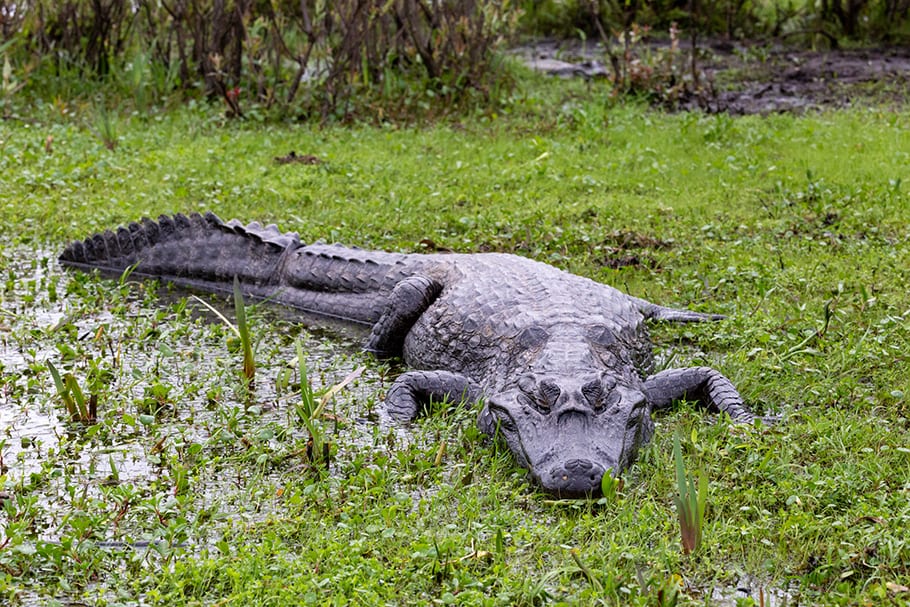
{"x":412,"y":392}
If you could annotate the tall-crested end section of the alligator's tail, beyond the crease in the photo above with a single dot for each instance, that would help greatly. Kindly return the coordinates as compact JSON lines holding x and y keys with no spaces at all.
{"x":196,"y":251}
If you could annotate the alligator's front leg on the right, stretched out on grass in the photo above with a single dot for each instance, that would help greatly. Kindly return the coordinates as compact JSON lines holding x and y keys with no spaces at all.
{"x":703,"y":384}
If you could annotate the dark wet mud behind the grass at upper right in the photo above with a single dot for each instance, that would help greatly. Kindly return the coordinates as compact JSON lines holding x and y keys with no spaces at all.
{"x":748,"y":79}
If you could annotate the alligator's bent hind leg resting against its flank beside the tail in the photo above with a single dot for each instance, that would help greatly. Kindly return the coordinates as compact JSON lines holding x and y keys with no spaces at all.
{"x":409,"y":299}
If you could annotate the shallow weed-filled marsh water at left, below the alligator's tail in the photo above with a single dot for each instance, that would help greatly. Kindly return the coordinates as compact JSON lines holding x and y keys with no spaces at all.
{"x":174,"y":413}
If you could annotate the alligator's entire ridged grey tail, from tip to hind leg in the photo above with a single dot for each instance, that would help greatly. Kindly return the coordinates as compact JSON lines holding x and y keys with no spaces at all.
{"x":203,"y":253}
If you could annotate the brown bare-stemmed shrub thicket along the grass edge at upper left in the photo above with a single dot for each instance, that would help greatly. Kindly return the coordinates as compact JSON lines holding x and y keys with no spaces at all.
{"x":268,"y":51}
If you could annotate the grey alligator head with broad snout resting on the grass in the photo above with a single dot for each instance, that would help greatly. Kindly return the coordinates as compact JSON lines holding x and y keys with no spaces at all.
{"x":570,"y":430}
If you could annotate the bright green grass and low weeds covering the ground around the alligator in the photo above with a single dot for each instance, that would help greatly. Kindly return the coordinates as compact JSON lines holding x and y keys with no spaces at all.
{"x":796,"y":227}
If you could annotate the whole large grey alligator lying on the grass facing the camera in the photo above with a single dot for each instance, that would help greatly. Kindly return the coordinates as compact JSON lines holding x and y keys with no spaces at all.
{"x":561,"y":363}
